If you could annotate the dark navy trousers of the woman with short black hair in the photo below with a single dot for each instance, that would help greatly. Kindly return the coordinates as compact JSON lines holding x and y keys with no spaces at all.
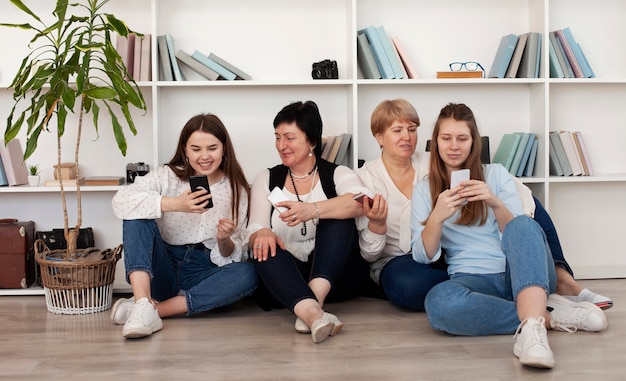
{"x":336,"y":258}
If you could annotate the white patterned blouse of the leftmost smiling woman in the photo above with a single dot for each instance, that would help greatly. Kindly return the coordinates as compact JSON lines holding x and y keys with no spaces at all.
{"x":142,"y":200}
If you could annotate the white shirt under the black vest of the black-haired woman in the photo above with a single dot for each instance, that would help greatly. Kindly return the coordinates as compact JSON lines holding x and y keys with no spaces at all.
{"x":261,"y":215}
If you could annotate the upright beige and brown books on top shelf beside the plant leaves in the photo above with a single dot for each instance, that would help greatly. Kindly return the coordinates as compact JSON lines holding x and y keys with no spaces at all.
{"x":136,"y":52}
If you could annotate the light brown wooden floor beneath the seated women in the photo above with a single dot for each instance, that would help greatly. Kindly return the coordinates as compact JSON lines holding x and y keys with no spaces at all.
{"x":242,"y":342}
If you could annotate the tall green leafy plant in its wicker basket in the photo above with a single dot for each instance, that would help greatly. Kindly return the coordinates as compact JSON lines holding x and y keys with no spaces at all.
{"x":72,"y":67}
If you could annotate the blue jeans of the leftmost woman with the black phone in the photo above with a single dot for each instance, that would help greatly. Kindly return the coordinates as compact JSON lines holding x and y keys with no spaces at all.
{"x":184,"y":269}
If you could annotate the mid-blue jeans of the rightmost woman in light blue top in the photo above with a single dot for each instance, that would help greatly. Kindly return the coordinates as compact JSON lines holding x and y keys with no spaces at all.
{"x":484,"y":304}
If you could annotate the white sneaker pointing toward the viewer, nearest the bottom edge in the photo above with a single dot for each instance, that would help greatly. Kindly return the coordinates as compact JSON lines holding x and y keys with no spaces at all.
{"x":531,"y":344}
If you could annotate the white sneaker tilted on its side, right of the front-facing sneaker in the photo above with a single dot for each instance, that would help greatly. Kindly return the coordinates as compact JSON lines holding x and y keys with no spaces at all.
{"x":569,"y":316}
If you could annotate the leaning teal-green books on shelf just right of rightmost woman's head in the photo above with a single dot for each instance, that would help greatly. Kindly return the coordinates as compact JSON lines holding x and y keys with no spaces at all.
{"x":517,"y":152}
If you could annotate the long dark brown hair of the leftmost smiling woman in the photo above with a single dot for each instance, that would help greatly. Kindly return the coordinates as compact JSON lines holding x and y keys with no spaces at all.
{"x":211,"y":124}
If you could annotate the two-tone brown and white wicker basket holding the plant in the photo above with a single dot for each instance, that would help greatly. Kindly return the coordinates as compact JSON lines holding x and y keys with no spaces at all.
{"x":81,"y":285}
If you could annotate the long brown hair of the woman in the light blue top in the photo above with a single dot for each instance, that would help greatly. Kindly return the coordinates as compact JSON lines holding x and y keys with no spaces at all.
{"x":473,"y":212}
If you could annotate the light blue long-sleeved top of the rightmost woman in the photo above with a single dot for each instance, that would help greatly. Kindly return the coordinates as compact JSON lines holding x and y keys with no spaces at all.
{"x":469,"y":249}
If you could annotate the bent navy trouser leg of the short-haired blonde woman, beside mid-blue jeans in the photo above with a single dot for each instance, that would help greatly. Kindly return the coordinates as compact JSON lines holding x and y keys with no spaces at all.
{"x":406,"y":282}
